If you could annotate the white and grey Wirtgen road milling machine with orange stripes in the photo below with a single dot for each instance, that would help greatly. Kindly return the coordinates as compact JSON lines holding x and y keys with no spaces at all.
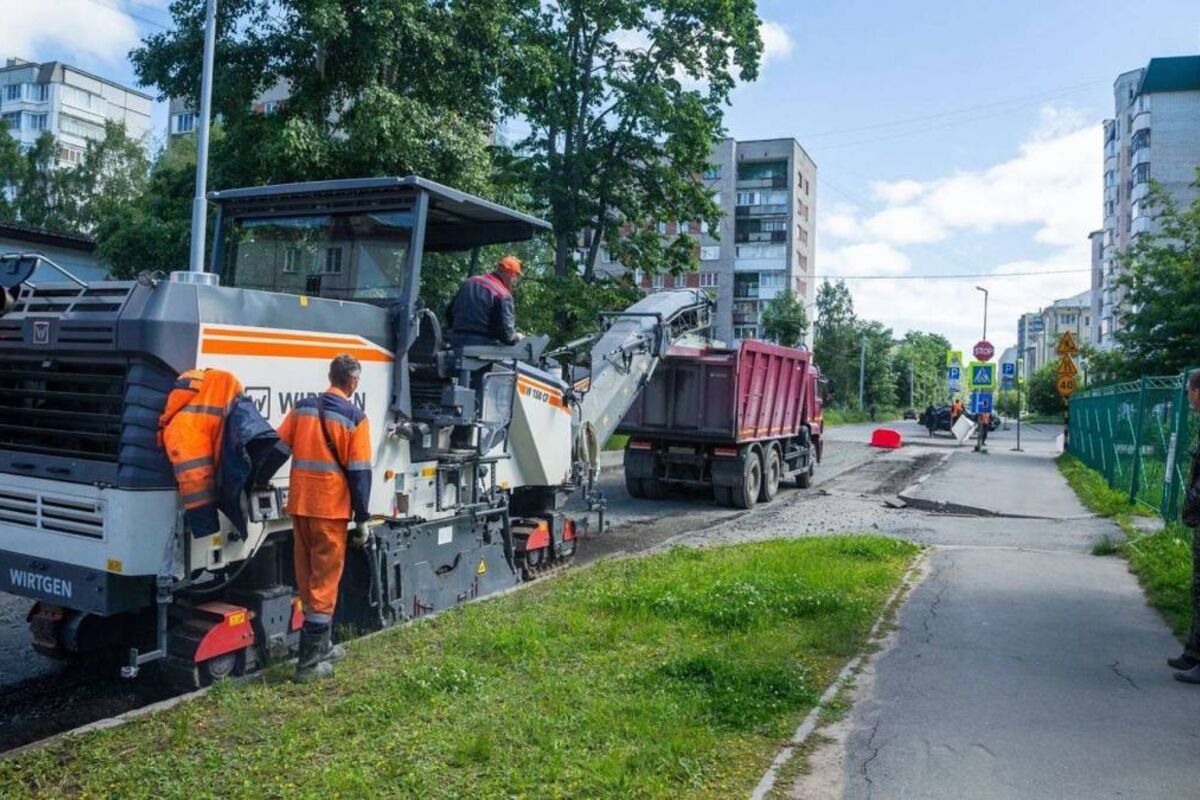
{"x":477,"y":449}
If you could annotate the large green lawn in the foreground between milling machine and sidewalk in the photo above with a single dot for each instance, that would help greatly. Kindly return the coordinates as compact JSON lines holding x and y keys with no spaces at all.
{"x":665,"y":677}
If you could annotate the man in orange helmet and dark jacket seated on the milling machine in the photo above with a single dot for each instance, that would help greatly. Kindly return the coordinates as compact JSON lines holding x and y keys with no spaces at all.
{"x":483,"y":311}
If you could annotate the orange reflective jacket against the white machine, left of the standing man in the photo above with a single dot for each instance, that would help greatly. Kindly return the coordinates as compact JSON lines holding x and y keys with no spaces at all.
{"x":190,"y":429}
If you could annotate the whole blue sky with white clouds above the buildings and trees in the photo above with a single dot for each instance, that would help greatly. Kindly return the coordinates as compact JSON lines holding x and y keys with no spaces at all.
{"x":950,"y":137}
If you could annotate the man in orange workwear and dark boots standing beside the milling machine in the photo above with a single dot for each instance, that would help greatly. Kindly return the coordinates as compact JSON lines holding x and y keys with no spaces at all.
{"x":331,"y":484}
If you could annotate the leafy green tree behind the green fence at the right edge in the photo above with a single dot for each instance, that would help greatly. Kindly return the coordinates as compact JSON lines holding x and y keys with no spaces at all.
{"x":1159,"y":330}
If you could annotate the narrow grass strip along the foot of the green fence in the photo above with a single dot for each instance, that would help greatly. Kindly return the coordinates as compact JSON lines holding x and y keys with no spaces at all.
{"x":1162,"y":560}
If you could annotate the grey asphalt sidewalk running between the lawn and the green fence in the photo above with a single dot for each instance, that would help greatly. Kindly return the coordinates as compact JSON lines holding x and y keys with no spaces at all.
{"x":1023,"y":666}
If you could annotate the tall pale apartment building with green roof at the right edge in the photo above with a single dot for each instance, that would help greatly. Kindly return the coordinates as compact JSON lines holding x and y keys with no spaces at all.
{"x":1154,"y":135}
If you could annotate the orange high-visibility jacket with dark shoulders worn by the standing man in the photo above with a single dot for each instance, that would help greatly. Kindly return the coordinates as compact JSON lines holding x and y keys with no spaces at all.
{"x":325,"y":484}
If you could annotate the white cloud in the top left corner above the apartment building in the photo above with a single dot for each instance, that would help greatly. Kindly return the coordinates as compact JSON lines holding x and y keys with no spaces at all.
{"x":67,"y":29}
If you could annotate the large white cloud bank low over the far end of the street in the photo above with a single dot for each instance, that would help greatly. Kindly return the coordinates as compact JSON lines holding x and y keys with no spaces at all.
{"x":1047,"y":196}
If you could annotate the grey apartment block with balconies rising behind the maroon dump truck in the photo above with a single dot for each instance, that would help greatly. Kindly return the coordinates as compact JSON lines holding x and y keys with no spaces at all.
{"x":766,"y":240}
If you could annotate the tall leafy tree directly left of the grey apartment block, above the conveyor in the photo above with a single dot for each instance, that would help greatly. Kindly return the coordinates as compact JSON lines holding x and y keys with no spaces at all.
{"x":625,"y":101}
